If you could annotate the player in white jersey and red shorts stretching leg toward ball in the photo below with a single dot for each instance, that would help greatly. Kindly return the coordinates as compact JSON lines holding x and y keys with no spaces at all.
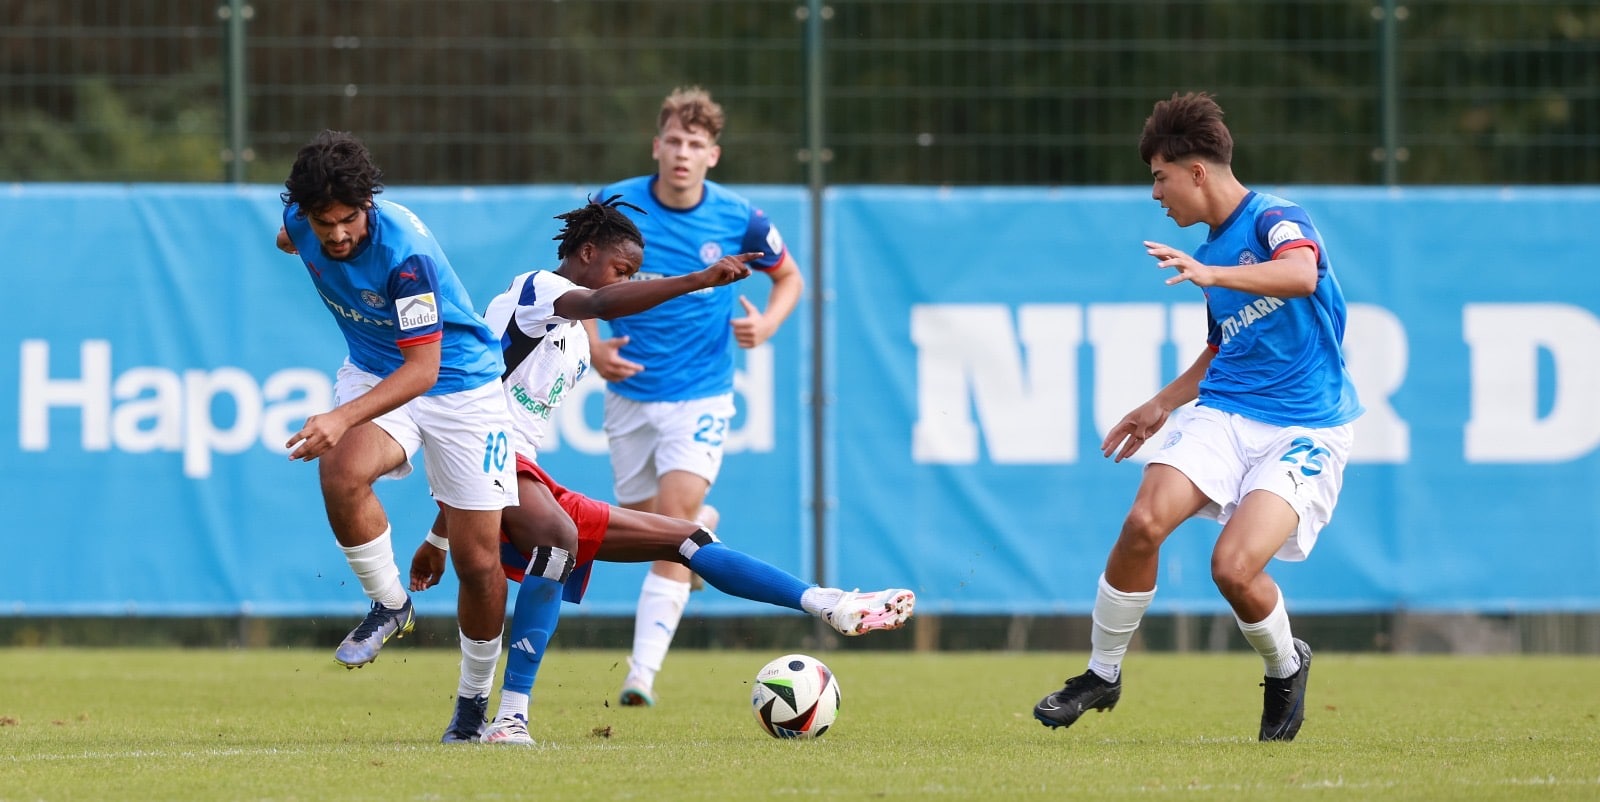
{"x":558,"y":532}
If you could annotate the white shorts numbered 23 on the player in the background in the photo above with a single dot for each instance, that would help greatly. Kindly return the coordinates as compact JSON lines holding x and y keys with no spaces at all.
{"x":654,"y":438}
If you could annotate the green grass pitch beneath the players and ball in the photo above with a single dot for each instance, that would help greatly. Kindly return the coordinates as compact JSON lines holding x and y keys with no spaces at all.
{"x":294,"y":726}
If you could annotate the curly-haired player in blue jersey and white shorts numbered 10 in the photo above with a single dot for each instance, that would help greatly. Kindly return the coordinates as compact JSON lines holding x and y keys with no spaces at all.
{"x":423,"y":372}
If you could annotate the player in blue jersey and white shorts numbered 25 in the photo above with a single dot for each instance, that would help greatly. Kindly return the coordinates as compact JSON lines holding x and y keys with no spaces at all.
{"x":1263,"y":451}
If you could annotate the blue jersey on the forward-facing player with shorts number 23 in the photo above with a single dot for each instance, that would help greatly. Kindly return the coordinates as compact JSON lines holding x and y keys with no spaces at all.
{"x":687,"y":343}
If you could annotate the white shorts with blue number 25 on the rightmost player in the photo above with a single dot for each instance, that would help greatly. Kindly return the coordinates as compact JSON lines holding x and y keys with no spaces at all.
{"x":1228,"y":457}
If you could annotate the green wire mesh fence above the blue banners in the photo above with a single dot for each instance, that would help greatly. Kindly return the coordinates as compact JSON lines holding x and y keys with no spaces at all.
{"x":914,"y":92}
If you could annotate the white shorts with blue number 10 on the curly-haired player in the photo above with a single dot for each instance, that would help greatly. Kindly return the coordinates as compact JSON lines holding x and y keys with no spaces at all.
{"x":465,"y":438}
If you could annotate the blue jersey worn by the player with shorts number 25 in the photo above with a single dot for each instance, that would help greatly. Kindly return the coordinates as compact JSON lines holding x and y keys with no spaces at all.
{"x":1278,"y":361}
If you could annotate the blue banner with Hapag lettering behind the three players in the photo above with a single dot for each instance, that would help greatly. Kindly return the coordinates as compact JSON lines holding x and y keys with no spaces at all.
{"x":164,"y":351}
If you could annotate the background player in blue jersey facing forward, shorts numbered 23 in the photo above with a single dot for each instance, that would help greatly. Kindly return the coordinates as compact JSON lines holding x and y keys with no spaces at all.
{"x":670,"y":371}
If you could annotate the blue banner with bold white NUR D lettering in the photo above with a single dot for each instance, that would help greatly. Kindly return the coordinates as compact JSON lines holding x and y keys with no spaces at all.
{"x":988,"y":339}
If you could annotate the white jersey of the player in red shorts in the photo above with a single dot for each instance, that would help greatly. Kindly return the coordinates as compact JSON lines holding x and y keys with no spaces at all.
{"x":545,"y":355}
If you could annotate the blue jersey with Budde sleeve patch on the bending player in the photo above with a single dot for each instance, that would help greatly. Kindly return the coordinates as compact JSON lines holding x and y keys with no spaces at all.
{"x":398,"y":291}
